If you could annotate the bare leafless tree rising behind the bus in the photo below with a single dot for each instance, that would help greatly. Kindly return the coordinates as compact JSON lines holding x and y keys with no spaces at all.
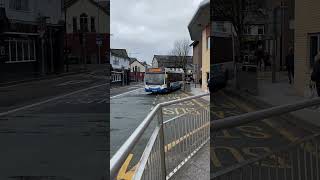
{"x":181,"y":50}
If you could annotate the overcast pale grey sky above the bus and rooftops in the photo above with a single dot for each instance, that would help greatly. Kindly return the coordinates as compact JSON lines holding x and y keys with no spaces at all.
{"x":148,"y":27}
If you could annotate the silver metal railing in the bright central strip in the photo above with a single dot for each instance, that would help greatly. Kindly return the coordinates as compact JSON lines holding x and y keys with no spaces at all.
{"x":171,"y":144}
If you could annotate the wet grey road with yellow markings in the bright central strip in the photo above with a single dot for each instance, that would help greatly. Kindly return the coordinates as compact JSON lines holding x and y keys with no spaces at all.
{"x":129,"y":110}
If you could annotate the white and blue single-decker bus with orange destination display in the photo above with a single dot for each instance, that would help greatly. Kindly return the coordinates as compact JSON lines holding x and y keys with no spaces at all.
{"x":162,"y":80}
